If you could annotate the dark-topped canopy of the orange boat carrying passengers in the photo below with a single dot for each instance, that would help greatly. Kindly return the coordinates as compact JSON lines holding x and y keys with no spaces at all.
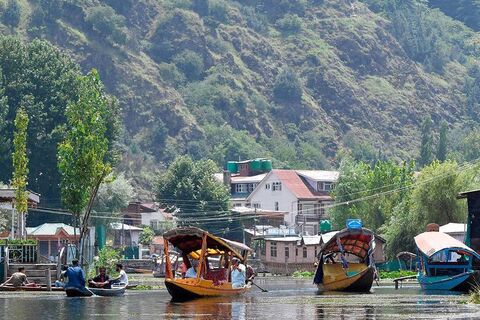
{"x":189,"y":241}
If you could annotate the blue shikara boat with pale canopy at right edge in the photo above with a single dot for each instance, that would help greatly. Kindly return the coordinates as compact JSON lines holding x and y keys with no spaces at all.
{"x":446,"y":263}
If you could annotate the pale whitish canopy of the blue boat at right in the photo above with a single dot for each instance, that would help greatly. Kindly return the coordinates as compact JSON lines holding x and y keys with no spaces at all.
{"x":432,"y":242}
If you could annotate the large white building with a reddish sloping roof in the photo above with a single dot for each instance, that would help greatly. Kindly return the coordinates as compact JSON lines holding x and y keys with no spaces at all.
{"x":301,"y":193}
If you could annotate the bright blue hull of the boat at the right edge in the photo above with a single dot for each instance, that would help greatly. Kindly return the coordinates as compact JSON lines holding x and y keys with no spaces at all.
{"x":463,"y":282}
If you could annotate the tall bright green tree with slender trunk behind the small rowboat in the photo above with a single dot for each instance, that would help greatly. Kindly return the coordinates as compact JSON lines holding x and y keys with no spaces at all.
{"x":87,"y":154}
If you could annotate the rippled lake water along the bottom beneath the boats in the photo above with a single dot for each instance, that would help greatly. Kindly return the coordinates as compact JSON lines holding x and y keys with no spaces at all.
{"x":286,"y":299}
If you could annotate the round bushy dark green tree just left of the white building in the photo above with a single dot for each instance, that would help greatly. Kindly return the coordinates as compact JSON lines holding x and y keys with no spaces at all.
{"x":190,"y":188}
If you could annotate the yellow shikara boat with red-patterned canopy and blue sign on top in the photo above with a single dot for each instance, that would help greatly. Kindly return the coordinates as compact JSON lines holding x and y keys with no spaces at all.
{"x":346,"y":262}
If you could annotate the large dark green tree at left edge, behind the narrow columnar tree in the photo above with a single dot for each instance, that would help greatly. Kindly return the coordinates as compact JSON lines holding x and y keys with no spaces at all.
{"x":37,"y":76}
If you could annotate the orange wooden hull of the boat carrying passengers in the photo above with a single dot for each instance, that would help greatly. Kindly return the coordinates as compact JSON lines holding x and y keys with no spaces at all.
{"x":185,"y":289}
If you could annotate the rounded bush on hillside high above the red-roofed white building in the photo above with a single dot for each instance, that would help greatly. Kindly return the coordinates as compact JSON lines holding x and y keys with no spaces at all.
{"x":287,"y":87}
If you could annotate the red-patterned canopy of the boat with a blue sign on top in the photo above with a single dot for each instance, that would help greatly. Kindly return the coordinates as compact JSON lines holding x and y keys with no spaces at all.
{"x":355,"y":241}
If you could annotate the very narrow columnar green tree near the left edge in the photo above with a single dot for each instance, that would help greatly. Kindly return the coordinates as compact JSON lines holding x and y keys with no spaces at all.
{"x":20,"y":165}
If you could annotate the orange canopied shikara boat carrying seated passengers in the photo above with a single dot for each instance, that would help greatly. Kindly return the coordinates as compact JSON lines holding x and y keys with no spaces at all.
{"x":211,"y":280}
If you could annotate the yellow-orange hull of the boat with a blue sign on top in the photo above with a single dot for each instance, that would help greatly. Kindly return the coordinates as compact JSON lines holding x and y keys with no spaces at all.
{"x":360,"y":280}
